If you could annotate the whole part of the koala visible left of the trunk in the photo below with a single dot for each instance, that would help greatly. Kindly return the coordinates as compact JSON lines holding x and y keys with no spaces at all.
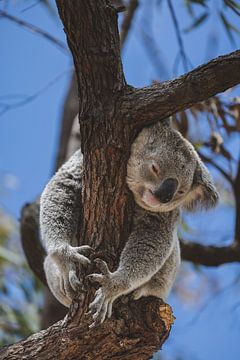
{"x":60,"y":210}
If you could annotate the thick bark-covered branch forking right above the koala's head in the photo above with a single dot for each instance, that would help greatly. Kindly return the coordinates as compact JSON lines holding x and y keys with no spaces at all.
{"x":147,"y":105}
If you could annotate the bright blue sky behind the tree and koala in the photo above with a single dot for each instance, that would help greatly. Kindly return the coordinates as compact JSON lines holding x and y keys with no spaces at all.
{"x":29,"y":136}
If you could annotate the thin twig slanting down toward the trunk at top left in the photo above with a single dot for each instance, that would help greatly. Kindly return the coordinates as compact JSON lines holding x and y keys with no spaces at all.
{"x":35,"y":30}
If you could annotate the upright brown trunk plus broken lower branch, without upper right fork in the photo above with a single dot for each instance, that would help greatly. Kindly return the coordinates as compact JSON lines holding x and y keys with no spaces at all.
{"x":136,"y":329}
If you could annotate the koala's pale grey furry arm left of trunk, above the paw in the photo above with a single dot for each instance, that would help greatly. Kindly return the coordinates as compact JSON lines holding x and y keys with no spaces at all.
{"x":60,"y":204}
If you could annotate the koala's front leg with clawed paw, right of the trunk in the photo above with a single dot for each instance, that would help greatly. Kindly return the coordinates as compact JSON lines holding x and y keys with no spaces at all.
{"x":144,"y":254}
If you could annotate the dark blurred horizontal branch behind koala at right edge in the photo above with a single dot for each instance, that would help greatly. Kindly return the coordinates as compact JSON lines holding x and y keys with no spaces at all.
{"x":209,"y":255}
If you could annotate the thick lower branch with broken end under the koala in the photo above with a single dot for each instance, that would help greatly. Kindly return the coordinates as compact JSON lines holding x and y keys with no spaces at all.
{"x":70,"y":339}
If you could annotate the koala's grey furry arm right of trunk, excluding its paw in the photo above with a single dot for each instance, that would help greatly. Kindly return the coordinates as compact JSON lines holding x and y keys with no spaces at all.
{"x":148,"y":247}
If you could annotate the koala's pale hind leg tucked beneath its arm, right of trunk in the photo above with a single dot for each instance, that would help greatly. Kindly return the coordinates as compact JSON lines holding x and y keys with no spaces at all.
{"x":162,"y":282}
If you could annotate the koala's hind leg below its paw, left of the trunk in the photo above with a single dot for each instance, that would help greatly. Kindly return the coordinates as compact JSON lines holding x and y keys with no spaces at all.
{"x":59,"y":282}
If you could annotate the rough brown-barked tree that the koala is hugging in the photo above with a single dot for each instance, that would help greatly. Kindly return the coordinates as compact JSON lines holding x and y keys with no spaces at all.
{"x":111,"y":114}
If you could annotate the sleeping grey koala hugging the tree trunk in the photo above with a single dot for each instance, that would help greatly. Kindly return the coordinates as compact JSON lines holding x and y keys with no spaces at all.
{"x":164,"y":174}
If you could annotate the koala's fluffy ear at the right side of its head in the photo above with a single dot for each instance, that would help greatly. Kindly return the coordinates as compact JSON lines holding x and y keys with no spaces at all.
{"x":203,"y":193}
